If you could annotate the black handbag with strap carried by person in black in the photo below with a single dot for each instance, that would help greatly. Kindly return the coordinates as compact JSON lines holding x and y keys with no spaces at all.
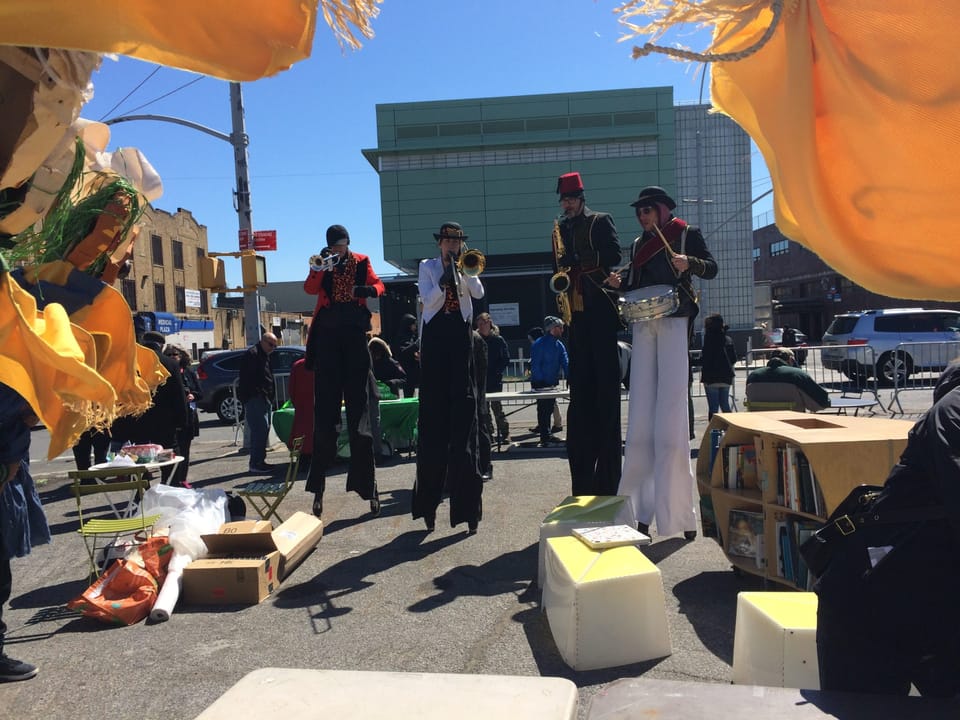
{"x":856,"y":511}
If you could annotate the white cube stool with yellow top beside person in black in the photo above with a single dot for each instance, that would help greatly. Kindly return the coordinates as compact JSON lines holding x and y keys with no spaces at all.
{"x":775,"y":640}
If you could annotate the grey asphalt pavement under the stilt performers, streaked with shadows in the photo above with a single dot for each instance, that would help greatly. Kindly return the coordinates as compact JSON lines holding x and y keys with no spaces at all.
{"x":377,"y":594}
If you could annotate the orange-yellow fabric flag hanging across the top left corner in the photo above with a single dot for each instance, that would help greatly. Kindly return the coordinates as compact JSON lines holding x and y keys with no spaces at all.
{"x":229,"y":39}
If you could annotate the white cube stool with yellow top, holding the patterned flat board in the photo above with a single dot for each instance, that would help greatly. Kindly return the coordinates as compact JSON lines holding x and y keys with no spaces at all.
{"x":605,"y":607}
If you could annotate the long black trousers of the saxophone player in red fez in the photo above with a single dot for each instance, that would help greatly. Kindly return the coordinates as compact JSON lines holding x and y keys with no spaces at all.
{"x":594,"y":440}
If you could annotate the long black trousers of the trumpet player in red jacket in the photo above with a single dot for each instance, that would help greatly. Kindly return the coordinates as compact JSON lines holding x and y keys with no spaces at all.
{"x":342,"y":363}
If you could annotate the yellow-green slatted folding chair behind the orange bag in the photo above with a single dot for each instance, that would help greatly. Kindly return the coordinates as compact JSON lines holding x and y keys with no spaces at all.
{"x":94,"y":529}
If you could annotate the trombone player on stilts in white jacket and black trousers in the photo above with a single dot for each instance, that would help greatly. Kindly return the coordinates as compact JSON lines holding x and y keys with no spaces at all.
{"x":448,"y":424}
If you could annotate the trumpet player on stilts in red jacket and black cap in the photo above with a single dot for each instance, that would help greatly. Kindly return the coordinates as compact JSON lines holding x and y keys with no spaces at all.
{"x":337,"y":353}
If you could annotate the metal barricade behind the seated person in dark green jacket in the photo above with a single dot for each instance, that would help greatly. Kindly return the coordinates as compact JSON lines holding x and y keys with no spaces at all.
{"x":846,"y":372}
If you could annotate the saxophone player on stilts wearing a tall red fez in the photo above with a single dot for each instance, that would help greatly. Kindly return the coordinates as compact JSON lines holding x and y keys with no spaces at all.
{"x":593,"y":418}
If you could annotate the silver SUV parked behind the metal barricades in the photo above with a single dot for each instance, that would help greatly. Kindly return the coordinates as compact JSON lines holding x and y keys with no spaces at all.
{"x":884,"y":330}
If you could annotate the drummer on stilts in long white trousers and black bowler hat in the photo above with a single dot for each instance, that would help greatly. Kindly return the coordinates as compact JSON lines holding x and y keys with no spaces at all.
{"x":656,"y":469}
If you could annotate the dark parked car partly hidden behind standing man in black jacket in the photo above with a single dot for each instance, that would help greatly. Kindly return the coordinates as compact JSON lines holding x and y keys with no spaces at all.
{"x":219,"y":369}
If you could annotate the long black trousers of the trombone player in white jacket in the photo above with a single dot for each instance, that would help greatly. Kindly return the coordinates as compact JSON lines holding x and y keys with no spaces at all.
{"x":447,"y":426}
